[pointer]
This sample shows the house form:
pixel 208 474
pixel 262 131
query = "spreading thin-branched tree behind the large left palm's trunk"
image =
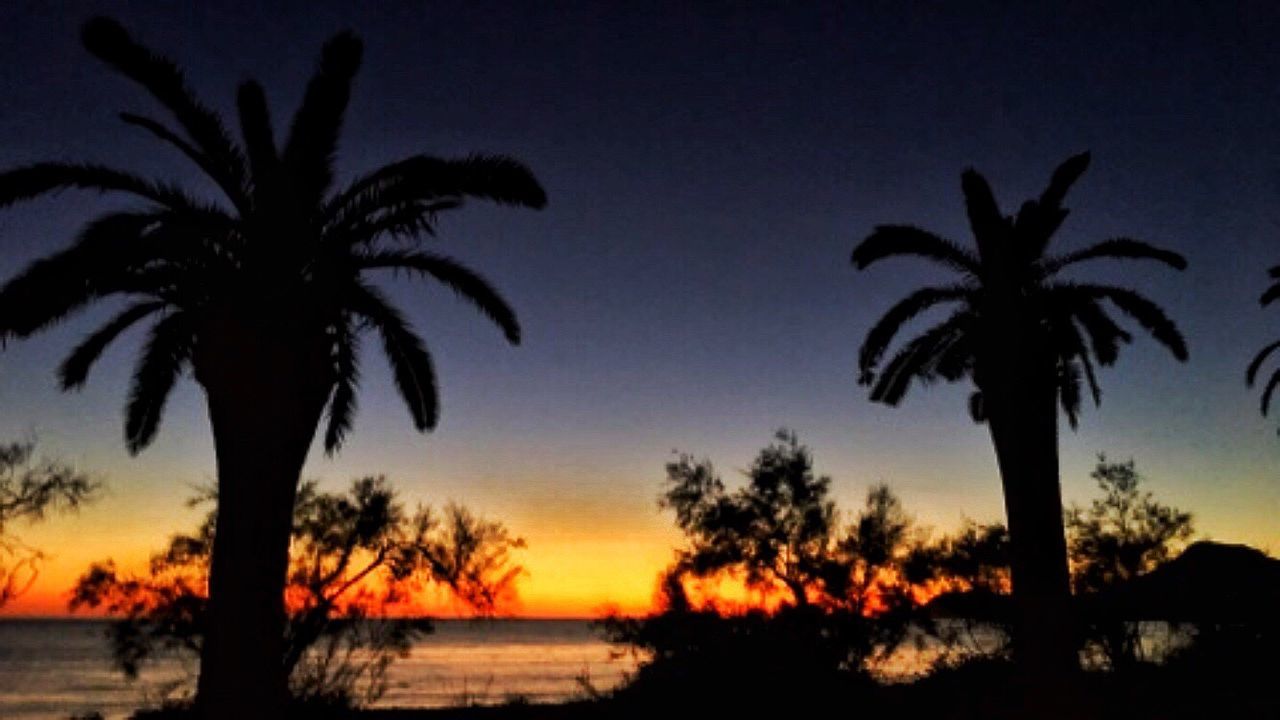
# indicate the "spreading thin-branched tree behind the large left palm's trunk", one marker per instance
pixel 355 558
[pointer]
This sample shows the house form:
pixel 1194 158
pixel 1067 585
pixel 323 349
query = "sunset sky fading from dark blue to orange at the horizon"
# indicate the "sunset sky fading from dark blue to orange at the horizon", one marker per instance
pixel 710 168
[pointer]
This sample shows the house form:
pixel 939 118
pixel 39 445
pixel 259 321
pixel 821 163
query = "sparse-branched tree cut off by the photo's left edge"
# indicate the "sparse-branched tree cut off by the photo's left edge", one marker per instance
pixel 29 491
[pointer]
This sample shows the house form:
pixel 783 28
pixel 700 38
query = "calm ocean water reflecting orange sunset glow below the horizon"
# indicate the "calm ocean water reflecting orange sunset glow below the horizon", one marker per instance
pixel 54 669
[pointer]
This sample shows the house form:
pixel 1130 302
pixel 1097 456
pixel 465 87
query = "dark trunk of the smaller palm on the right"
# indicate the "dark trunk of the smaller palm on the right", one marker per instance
pixel 1023 421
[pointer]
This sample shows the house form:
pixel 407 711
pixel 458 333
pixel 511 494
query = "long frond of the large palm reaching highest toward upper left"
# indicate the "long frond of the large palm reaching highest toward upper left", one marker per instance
pixel 112 44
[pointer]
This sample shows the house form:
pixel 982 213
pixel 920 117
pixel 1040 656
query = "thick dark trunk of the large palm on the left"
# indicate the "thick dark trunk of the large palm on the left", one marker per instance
pixel 264 408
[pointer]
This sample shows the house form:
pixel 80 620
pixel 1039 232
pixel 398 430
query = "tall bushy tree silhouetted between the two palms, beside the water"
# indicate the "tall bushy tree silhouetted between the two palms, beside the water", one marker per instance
pixel 835 598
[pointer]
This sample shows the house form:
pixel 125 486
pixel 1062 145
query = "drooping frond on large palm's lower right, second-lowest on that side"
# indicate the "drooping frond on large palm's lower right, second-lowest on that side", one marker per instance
pixel 410 362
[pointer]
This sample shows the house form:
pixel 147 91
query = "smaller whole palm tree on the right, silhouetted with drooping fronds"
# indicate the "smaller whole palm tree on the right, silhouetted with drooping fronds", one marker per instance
pixel 1028 341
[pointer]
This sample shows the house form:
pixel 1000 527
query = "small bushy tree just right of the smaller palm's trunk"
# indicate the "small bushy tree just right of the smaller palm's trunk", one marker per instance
pixel 1123 535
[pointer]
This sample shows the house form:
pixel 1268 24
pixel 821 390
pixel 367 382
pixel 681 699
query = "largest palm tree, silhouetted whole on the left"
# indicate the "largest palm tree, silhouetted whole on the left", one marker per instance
pixel 264 297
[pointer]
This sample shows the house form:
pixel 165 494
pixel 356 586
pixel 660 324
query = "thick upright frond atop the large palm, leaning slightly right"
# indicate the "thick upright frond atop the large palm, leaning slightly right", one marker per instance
pixel 313 138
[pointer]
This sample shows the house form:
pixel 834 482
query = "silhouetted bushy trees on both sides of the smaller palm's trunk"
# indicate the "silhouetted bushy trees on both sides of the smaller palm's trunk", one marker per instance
pixel 834 598
